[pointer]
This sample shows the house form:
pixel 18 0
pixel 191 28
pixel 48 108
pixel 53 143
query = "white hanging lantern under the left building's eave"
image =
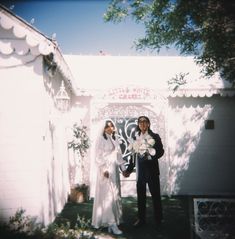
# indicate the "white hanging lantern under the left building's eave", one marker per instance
pixel 62 98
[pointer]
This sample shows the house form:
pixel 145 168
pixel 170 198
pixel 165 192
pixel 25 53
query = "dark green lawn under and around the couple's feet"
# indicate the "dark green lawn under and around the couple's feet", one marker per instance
pixel 176 219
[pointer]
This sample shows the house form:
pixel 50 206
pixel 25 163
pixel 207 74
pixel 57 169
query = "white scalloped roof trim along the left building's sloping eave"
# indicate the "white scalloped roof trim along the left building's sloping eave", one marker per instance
pixel 35 42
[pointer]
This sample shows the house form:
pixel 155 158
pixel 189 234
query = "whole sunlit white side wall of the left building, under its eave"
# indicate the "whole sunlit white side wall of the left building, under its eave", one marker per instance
pixel 33 143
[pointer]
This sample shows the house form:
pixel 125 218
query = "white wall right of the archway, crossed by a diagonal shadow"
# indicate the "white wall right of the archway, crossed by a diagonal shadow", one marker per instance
pixel 202 163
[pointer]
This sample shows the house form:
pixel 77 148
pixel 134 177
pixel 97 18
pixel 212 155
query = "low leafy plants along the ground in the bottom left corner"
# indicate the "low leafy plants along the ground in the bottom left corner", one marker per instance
pixel 22 226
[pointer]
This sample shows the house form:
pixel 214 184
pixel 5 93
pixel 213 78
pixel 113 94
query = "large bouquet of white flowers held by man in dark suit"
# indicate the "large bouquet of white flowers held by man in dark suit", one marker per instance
pixel 142 146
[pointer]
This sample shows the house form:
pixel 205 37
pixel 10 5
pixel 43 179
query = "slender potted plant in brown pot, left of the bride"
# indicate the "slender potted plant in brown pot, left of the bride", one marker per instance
pixel 80 144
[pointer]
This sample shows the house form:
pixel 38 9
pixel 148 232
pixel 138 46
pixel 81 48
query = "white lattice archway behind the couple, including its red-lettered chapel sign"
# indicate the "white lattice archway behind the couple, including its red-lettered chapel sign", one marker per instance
pixel 124 105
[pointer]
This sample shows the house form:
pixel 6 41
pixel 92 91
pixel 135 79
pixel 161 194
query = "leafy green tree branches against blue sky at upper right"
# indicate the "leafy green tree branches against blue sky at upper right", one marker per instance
pixel 203 28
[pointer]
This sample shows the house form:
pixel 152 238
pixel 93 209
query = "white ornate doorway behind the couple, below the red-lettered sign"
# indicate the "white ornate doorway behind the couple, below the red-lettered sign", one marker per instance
pixel 124 116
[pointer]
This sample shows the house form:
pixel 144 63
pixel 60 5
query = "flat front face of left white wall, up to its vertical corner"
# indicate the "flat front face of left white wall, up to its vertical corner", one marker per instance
pixel 21 138
